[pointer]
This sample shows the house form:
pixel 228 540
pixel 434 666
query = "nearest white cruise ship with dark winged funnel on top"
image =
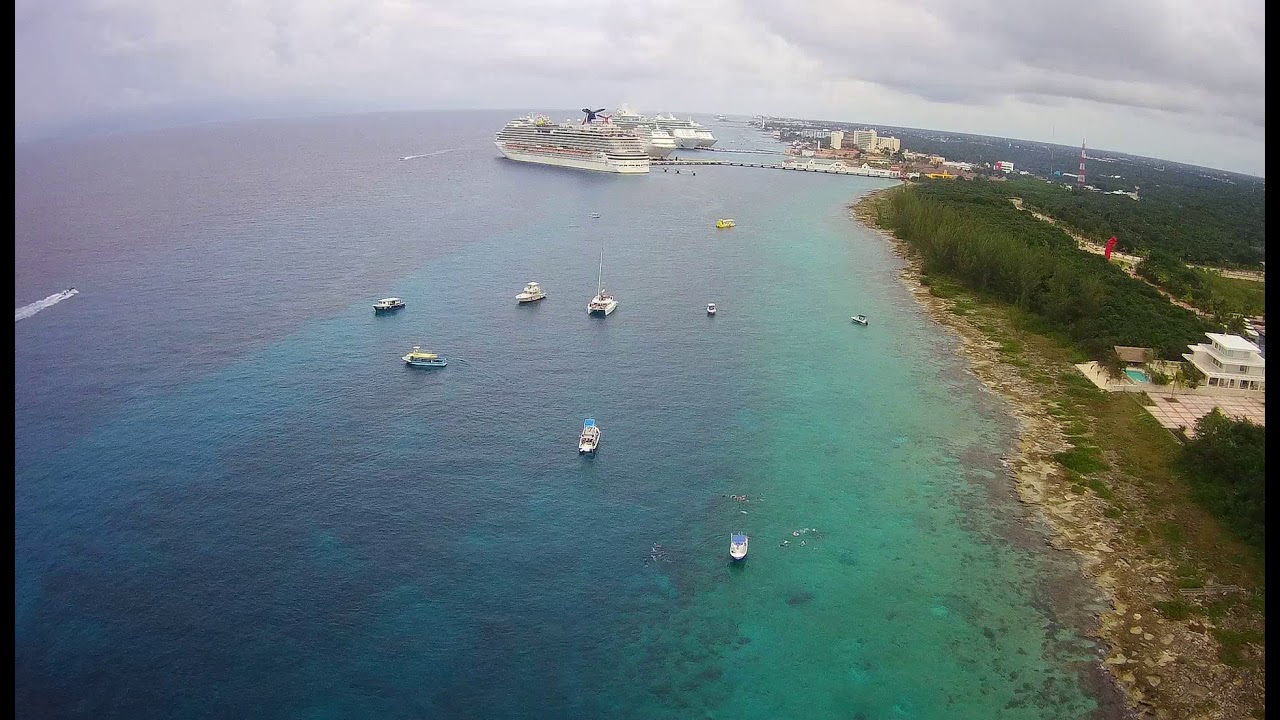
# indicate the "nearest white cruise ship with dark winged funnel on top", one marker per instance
pixel 587 145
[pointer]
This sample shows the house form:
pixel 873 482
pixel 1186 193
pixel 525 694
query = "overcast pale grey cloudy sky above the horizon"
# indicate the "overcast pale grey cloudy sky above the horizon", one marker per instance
pixel 1177 80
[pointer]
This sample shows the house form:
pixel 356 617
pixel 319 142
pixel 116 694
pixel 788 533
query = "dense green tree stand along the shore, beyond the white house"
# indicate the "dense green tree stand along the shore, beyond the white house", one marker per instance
pixel 970 231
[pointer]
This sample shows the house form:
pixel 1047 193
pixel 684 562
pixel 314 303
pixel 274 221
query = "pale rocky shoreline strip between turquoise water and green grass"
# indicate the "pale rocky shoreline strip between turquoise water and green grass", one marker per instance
pixel 1164 669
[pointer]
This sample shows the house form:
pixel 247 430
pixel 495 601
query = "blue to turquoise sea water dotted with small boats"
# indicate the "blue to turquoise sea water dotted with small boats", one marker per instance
pixel 232 499
